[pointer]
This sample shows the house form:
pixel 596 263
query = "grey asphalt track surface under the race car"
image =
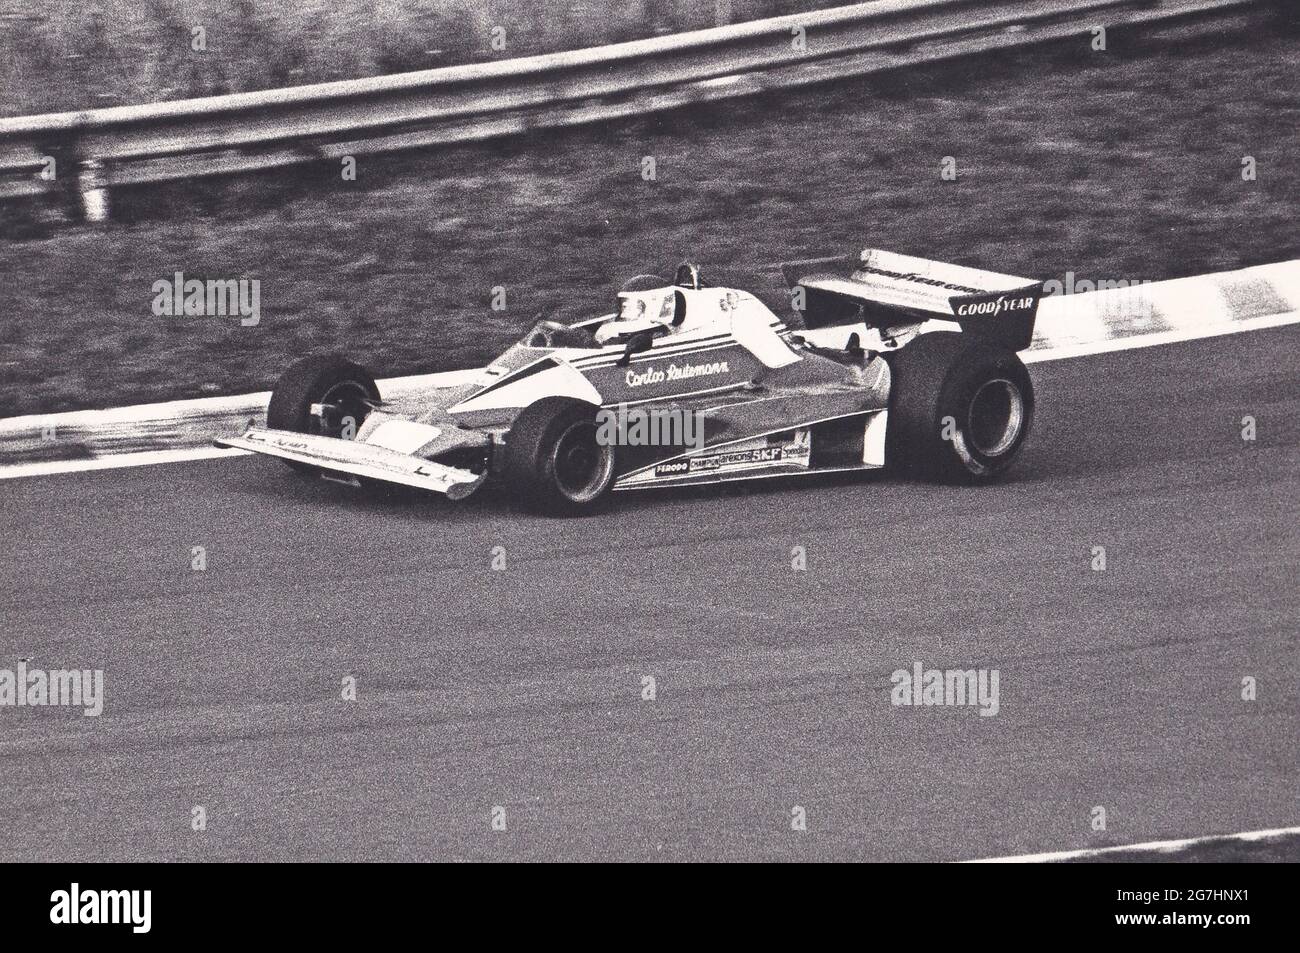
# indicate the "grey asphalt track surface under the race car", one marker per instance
pixel 522 688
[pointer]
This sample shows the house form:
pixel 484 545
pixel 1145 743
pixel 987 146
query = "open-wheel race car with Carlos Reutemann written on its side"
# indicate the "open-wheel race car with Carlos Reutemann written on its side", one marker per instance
pixel 900 362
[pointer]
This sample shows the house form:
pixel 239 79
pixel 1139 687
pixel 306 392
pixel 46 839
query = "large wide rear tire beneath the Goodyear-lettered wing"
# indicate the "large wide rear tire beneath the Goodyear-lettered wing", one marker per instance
pixel 960 410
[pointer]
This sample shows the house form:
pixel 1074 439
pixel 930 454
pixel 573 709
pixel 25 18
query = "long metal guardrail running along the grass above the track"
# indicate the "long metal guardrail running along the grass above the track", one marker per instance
pixel 276 128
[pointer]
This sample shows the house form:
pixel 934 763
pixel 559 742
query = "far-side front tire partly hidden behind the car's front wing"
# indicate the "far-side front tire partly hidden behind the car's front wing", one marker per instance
pixel 343 388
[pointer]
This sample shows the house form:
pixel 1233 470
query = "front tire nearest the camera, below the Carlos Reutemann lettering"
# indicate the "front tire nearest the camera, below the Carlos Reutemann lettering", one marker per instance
pixel 553 462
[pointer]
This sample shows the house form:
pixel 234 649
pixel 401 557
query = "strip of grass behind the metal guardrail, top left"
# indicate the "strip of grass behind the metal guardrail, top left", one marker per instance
pixel 59 55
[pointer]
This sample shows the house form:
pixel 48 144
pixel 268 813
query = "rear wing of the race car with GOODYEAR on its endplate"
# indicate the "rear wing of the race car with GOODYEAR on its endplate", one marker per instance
pixel 886 289
